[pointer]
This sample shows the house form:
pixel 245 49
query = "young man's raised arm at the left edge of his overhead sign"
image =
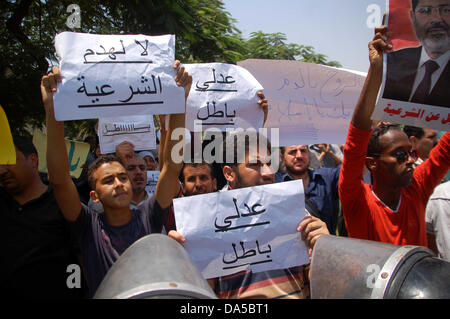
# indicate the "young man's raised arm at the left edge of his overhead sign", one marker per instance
pixel 65 191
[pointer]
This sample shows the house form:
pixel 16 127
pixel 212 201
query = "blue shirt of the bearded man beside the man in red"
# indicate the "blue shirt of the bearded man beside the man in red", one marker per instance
pixel 323 192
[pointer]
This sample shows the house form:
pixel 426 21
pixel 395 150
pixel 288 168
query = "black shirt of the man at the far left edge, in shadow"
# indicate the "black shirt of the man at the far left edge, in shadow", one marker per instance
pixel 37 248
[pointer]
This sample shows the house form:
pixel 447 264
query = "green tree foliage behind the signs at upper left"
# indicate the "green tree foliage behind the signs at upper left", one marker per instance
pixel 205 32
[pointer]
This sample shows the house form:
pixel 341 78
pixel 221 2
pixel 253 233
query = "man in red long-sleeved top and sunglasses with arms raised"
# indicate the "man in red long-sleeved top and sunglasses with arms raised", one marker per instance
pixel 392 210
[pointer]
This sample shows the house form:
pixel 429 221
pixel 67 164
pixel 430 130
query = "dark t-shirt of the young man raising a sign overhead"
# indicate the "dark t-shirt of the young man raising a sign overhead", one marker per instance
pixel 101 243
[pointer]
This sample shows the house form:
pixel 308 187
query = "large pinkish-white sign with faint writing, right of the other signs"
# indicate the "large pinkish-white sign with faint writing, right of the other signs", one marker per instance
pixel 309 103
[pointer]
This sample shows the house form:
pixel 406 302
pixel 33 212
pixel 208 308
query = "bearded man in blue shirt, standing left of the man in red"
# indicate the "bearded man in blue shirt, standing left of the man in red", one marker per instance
pixel 321 185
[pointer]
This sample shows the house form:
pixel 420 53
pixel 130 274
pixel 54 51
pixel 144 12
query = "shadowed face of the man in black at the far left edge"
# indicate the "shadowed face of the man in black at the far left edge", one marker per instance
pixel 16 178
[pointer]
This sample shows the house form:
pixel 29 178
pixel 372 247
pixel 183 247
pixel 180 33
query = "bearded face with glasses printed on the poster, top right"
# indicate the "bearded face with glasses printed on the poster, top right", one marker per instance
pixel 431 20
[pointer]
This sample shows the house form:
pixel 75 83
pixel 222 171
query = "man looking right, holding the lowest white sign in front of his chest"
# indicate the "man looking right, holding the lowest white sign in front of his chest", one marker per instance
pixel 251 171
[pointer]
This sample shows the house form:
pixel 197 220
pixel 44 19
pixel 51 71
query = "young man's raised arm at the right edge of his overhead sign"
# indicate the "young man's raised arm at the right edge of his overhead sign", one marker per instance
pixel 168 185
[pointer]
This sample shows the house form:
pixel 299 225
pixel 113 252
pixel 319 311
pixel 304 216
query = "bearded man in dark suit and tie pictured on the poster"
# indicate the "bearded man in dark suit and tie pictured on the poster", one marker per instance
pixel 422 74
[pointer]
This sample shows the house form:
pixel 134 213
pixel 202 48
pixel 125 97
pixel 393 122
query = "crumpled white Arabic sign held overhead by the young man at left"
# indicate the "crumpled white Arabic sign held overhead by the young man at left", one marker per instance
pixel 116 75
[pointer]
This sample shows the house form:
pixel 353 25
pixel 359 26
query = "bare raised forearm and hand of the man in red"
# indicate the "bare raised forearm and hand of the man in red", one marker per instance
pixel 366 103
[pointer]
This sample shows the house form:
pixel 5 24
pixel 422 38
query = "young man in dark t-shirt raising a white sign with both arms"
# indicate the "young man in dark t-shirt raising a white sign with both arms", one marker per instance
pixel 105 236
